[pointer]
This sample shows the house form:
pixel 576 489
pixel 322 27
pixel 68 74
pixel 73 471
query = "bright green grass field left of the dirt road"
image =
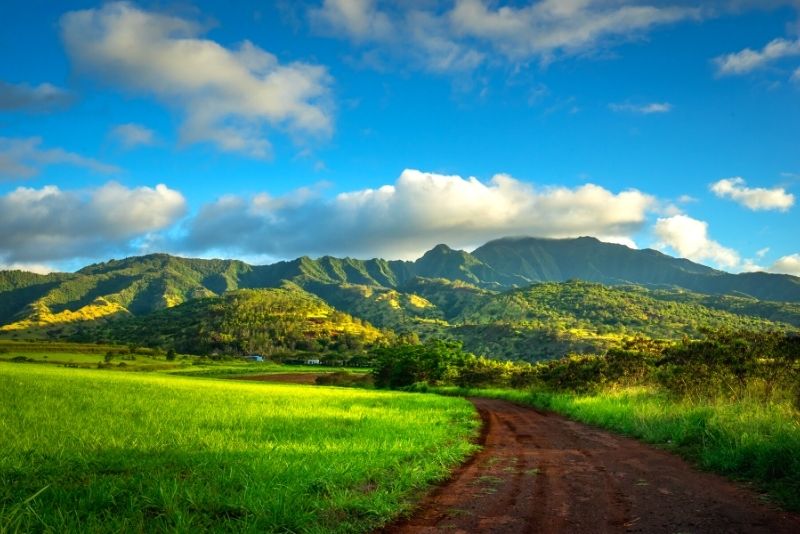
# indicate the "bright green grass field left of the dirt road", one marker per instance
pixel 92 451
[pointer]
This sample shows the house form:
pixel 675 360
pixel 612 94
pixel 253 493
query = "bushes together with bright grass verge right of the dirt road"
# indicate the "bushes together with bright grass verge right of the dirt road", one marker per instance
pixel 729 402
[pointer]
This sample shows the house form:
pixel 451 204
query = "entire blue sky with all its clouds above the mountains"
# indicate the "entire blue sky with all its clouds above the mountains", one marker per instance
pixel 270 130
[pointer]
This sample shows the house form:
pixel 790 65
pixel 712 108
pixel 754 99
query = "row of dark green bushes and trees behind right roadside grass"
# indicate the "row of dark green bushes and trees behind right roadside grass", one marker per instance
pixel 728 364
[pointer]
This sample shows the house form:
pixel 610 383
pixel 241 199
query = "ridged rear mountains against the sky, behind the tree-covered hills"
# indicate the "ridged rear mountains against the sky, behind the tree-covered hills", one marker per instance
pixel 145 284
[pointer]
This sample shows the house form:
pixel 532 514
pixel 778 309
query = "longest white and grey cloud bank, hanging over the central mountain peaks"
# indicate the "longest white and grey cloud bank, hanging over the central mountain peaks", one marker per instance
pixel 419 210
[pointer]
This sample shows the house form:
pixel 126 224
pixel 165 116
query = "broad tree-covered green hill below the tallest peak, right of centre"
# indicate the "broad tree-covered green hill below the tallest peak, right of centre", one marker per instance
pixel 553 319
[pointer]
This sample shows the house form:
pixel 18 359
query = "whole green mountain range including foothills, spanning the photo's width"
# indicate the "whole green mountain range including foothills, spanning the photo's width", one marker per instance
pixel 512 297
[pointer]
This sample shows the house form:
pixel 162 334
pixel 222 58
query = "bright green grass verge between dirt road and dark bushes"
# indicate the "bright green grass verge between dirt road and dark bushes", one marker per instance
pixel 745 439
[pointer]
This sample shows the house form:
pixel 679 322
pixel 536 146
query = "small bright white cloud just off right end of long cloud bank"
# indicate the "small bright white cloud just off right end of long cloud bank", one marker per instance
pixel 689 238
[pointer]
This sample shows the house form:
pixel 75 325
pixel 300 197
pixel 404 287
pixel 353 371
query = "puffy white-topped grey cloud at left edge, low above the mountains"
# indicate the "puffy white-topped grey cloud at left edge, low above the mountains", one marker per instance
pixel 50 224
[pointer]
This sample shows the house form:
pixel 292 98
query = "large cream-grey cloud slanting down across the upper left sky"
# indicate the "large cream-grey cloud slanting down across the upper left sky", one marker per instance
pixel 227 96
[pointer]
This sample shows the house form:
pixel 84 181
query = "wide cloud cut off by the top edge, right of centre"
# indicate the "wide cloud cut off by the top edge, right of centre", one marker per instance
pixel 464 34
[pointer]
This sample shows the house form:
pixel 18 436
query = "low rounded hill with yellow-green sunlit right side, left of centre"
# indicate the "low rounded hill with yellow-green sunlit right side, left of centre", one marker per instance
pixel 263 321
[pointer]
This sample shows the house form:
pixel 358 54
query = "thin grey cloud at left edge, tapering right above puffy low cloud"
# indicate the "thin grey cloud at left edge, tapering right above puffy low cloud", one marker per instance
pixel 24 157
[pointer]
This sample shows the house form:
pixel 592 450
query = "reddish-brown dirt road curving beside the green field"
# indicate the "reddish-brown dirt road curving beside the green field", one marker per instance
pixel 542 473
